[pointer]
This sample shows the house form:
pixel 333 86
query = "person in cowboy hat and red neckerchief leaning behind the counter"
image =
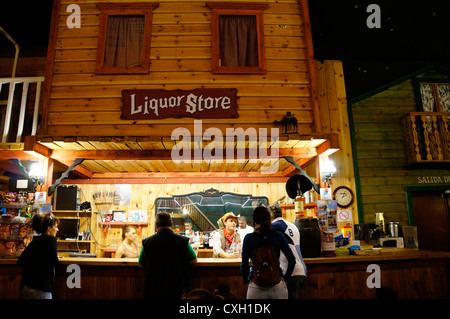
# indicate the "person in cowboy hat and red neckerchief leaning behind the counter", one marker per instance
pixel 225 237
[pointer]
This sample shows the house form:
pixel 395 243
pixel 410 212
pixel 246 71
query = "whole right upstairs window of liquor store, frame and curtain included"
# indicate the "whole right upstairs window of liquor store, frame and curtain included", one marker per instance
pixel 238 37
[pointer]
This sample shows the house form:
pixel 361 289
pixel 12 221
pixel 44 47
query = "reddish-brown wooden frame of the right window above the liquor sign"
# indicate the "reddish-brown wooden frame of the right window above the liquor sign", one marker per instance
pixel 235 8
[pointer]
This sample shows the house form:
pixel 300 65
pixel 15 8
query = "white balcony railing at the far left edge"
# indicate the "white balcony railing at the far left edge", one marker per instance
pixel 19 107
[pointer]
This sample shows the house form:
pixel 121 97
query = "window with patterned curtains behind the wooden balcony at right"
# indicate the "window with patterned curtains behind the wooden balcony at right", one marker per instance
pixel 434 96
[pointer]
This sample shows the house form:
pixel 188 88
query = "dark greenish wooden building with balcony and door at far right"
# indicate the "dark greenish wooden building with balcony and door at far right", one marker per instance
pixel 401 149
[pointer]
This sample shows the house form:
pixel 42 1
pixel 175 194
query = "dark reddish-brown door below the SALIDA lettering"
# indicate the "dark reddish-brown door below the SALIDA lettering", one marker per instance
pixel 431 216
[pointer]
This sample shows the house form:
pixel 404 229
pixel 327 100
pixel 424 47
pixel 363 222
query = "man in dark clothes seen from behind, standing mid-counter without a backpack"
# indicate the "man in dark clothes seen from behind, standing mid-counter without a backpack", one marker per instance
pixel 166 257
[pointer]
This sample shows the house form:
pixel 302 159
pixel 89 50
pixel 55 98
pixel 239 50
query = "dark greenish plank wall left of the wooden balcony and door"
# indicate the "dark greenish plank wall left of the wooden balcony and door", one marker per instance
pixel 381 153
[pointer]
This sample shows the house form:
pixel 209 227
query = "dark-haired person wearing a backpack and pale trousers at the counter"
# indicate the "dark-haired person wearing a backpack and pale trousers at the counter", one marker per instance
pixel 262 248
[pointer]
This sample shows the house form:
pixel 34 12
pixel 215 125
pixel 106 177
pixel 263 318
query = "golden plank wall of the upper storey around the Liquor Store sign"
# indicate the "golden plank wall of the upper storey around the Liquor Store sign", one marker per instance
pixel 83 103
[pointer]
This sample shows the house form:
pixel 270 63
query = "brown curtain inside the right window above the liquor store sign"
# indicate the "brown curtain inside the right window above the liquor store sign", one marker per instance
pixel 238 41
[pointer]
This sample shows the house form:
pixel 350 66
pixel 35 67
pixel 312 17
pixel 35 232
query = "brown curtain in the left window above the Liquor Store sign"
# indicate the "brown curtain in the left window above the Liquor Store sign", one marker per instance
pixel 124 41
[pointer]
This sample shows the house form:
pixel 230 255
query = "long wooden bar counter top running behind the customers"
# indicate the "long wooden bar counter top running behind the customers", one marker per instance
pixel 384 254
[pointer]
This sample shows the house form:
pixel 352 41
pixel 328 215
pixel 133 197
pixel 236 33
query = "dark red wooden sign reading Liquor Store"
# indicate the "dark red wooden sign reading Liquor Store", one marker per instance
pixel 145 104
